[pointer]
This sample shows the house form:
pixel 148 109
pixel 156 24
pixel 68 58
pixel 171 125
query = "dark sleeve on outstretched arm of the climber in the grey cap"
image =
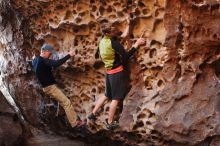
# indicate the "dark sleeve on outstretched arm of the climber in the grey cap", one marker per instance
pixel 56 63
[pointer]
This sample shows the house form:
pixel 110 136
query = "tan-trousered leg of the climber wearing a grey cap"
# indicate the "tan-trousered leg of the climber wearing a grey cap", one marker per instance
pixel 58 95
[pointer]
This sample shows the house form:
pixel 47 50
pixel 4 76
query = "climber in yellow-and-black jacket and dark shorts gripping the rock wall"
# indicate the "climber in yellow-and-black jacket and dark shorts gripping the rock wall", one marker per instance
pixel 114 57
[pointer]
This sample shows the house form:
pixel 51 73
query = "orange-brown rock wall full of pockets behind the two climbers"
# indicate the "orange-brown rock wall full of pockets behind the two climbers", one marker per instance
pixel 174 88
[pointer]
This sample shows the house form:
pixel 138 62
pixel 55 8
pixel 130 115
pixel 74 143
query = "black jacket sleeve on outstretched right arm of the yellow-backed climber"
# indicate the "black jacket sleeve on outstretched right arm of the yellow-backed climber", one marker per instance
pixel 121 51
